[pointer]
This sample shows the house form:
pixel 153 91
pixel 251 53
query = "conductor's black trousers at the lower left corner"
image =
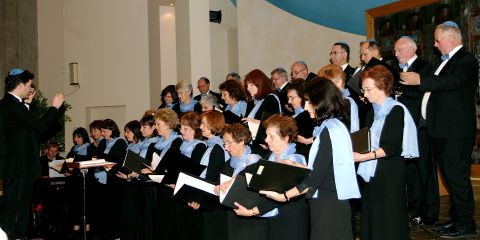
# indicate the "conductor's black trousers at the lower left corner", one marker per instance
pixel 16 206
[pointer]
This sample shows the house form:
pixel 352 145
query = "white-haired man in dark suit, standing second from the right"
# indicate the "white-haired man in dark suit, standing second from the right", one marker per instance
pixel 421 178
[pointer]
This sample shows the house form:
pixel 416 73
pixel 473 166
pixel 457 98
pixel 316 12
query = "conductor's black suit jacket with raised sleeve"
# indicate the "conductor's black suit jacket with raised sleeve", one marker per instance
pixel 19 130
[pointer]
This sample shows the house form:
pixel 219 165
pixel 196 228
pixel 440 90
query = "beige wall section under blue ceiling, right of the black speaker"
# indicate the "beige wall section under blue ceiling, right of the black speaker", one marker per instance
pixel 269 37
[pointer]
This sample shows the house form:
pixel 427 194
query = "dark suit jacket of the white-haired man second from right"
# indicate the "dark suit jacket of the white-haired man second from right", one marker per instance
pixel 411 96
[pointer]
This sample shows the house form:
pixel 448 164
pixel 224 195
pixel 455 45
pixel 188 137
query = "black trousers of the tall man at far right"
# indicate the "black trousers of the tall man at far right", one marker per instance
pixel 454 158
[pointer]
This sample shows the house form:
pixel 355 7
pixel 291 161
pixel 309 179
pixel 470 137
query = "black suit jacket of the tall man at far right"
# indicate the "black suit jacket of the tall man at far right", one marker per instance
pixel 451 106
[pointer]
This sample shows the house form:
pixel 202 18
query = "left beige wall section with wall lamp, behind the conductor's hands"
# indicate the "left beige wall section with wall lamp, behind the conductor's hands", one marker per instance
pixel 109 40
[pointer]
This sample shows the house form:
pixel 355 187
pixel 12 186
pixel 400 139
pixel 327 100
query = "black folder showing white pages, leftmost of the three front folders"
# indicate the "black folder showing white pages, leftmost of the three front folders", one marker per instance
pixel 191 189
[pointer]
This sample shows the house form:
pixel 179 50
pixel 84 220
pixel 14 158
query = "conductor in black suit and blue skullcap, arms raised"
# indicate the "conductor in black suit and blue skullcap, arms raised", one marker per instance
pixel 19 163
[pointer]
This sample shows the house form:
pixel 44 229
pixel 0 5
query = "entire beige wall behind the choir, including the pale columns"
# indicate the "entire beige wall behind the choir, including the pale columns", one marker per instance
pixel 125 57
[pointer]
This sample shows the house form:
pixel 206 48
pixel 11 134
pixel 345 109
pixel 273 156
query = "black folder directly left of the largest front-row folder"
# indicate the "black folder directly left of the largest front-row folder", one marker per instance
pixel 239 193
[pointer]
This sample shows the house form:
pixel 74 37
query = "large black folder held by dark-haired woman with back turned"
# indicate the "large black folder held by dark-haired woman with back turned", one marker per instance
pixel 275 176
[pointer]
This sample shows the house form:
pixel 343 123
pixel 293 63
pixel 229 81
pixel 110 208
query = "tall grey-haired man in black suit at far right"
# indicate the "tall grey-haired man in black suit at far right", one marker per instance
pixel 448 109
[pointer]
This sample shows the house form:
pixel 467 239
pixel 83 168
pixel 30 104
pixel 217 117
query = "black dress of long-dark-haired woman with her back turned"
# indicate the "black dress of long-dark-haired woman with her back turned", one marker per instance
pixel 330 217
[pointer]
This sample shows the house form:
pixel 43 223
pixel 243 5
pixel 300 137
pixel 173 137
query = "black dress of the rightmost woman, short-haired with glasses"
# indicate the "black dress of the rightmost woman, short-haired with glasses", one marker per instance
pixel 384 211
